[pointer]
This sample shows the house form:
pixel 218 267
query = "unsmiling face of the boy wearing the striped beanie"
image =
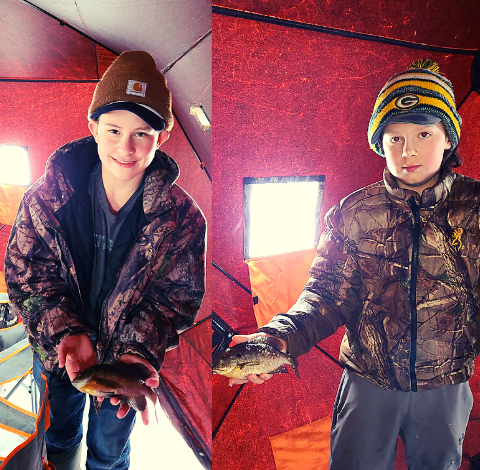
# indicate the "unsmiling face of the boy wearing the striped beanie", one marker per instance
pixel 414 153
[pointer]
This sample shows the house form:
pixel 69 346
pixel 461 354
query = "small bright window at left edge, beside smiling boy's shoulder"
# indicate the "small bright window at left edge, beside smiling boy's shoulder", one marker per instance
pixel 14 165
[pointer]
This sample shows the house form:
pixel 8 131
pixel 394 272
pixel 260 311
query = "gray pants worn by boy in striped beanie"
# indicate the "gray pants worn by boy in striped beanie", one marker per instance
pixel 367 421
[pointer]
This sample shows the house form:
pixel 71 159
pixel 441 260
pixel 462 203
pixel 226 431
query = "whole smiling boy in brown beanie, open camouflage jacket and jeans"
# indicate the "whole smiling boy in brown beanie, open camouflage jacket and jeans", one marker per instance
pixel 106 259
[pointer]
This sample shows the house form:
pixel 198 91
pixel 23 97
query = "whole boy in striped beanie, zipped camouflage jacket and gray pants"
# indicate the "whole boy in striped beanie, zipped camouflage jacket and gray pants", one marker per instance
pixel 398 266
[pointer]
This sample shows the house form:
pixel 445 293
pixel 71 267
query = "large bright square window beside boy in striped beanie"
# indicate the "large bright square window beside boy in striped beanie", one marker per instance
pixel 281 214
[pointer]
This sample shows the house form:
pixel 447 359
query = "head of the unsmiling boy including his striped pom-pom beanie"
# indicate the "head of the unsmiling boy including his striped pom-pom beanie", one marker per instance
pixel 414 105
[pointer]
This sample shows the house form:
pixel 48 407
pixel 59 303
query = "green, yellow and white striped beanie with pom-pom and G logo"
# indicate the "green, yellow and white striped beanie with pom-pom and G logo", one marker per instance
pixel 420 95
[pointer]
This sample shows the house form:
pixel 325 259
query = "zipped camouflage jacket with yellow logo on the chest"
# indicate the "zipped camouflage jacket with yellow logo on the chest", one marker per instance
pixel 401 272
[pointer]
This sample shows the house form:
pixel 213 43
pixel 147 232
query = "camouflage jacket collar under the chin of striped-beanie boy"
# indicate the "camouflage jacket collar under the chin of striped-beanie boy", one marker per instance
pixel 430 197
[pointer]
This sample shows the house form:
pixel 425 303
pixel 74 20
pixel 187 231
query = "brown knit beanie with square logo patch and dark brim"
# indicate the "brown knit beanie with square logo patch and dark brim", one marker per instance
pixel 133 83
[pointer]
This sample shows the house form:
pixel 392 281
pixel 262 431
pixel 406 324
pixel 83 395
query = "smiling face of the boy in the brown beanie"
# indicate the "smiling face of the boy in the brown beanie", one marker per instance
pixel 126 146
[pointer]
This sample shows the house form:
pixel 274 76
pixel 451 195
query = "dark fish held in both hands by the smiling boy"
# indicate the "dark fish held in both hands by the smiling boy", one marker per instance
pixel 125 381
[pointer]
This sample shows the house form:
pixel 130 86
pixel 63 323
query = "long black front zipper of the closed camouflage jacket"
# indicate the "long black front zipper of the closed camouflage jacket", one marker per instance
pixel 413 290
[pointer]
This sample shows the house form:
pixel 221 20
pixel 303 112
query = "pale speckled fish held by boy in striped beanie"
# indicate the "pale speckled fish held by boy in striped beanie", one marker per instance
pixel 260 354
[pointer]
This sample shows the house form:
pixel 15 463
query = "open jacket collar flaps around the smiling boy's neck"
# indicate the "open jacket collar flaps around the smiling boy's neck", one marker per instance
pixel 68 169
